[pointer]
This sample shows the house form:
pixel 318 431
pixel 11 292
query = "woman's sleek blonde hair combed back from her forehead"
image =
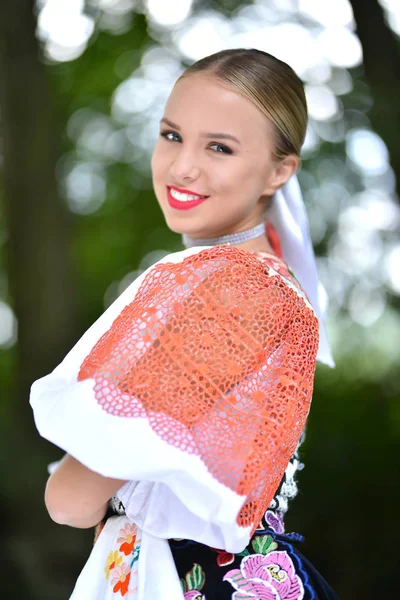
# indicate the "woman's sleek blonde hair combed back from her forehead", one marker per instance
pixel 270 84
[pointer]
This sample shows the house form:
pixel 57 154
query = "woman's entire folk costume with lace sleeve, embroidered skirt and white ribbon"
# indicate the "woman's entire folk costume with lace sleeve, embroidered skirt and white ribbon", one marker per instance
pixel 194 386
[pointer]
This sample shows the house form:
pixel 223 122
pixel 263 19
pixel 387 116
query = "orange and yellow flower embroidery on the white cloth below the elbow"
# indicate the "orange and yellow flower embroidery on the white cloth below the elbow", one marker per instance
pixel 124 573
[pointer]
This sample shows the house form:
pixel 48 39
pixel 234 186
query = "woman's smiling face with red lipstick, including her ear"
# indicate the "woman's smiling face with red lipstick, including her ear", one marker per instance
pixel 213 160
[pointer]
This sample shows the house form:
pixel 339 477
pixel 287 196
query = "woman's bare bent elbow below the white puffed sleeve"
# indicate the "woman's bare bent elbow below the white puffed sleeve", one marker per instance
pixel 77 496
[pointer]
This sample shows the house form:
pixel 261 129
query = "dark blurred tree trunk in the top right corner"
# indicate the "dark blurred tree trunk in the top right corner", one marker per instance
pixel 382 70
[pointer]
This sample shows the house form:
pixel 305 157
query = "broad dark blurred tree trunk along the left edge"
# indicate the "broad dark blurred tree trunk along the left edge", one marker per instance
pixel 42 295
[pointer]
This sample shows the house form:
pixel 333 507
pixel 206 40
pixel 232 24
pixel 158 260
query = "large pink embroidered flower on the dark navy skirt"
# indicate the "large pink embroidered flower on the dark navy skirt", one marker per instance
pixel 266 577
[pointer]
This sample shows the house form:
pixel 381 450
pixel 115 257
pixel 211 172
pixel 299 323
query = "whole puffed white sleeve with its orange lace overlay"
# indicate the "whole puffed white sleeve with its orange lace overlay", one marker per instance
pixel 194 386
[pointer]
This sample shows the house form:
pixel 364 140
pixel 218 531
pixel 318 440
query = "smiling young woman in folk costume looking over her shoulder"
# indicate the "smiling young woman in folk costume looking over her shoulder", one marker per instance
pixel 185 402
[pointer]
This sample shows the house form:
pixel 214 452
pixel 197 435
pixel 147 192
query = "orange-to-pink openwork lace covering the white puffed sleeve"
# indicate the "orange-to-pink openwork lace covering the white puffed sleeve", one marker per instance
pixel 218 352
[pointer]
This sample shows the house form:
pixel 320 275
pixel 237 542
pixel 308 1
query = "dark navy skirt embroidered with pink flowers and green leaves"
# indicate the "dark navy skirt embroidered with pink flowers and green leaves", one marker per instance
pixel 270 568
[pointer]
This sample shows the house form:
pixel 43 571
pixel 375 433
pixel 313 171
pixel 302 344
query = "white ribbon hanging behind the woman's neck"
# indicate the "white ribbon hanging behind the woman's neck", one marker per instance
pixel 288 215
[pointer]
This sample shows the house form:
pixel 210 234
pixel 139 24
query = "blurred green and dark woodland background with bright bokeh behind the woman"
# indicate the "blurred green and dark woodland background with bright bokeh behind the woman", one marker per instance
pixel 82 87
